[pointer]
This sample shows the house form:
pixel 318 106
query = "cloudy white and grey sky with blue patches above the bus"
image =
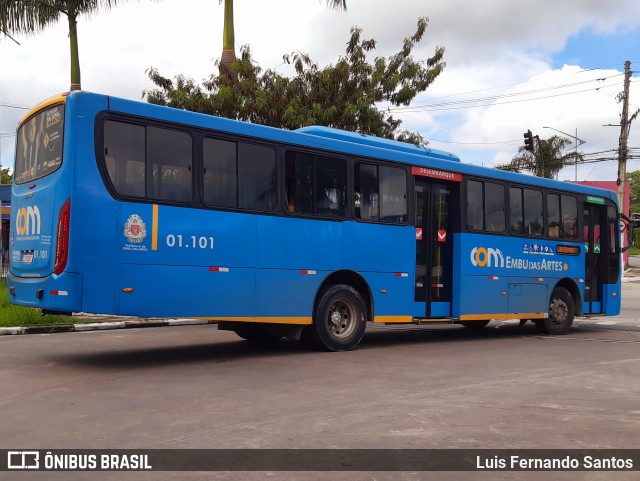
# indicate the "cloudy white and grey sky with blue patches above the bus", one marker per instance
pixel 555 63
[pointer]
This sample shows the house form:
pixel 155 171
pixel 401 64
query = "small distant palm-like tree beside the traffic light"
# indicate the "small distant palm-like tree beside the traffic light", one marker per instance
pixel 547 160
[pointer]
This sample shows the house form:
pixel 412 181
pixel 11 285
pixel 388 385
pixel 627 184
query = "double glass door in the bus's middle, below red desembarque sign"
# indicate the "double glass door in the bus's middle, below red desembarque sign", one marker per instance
pixel 434 249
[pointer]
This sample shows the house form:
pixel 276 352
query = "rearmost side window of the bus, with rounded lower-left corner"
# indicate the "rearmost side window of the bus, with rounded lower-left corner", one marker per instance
pixel 125 157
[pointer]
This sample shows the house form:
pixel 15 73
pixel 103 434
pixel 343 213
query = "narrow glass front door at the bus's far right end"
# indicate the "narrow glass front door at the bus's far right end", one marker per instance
pixel 596 247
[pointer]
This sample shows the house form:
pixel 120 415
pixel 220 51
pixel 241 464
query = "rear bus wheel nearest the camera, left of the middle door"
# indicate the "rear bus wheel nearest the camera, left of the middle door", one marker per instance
pixel 339 319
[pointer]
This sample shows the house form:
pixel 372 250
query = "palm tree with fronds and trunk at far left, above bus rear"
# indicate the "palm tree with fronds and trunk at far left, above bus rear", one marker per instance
pixel 31 16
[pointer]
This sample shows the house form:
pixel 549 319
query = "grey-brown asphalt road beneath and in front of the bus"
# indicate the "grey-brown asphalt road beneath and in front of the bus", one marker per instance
pixel 404 387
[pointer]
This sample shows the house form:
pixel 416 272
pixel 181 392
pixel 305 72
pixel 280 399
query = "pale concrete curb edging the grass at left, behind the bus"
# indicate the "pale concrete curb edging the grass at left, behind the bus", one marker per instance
pixel 100 326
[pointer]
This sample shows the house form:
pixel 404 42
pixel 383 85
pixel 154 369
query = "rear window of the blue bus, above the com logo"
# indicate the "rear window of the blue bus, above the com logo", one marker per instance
pixel 39 150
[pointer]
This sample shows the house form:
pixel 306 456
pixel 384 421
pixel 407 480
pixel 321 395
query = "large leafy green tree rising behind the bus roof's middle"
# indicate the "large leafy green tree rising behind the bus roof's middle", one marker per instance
pixel 344 95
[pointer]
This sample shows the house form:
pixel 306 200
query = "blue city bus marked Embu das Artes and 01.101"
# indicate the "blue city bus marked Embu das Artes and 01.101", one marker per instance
pixel 127 208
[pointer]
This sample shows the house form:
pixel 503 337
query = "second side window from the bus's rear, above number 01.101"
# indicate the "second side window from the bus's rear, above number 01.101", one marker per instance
pixel 169 154
